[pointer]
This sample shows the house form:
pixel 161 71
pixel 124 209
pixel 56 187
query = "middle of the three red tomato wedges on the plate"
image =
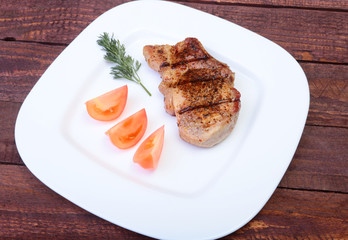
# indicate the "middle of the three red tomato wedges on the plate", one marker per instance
pixel 128 132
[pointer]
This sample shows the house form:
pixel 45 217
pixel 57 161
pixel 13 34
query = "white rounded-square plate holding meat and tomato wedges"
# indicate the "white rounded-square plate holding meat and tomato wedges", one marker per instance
pixel 195 193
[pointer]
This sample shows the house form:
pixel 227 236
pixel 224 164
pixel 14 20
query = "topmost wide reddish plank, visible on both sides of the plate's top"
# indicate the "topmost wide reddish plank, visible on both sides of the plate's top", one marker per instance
pixel 307 34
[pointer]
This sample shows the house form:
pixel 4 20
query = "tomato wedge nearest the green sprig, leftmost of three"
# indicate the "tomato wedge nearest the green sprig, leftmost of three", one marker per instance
pixel 108 106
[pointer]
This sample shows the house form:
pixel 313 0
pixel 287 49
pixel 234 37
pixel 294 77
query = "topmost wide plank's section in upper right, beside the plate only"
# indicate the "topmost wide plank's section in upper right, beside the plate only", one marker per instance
pixel 306 34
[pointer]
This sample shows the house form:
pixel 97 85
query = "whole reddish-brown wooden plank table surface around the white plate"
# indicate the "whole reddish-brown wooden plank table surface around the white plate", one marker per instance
pixel 311 202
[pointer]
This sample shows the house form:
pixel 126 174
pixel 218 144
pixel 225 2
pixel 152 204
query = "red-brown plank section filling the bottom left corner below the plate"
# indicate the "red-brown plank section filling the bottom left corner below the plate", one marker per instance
pixel 30 210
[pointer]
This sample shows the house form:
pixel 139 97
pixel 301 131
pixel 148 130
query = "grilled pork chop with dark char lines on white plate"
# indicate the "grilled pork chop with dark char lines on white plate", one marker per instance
pixel 197 89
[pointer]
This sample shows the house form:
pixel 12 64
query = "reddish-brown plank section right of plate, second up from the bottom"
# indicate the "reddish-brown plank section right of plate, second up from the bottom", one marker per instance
pixel 320 161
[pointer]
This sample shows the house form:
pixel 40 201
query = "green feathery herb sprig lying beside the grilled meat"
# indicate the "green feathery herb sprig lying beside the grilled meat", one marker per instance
pixel 126 67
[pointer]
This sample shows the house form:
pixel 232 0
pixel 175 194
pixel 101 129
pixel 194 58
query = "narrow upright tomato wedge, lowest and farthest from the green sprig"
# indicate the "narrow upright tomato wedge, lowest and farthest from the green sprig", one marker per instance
pixel 149 151
